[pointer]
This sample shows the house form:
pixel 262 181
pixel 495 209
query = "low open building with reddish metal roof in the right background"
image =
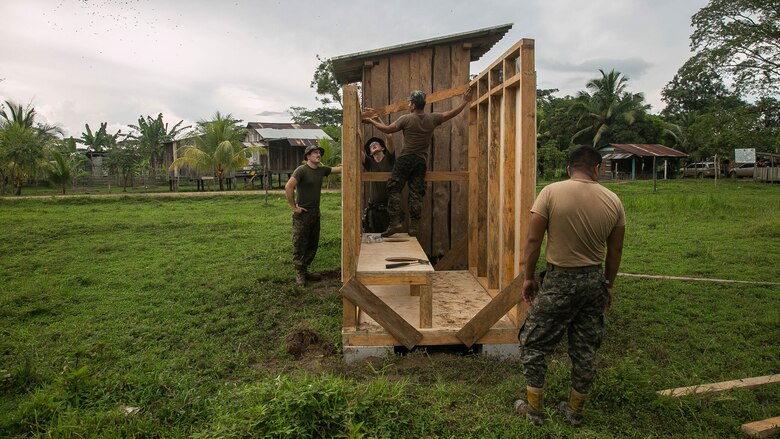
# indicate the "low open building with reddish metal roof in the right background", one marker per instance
pixel 636 160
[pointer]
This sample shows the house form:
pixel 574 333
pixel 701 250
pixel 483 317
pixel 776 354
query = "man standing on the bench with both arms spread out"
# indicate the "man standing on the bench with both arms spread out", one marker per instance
pixel 417 127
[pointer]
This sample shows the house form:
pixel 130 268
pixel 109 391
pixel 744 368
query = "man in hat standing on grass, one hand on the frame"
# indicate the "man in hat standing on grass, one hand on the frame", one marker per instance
pixel 305 204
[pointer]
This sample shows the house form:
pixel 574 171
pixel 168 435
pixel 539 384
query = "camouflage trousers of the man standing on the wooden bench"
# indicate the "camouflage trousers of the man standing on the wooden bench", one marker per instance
pixel 408 168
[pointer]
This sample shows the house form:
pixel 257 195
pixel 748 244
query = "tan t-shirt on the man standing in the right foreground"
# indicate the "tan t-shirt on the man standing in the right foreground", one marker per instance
pixel 580 216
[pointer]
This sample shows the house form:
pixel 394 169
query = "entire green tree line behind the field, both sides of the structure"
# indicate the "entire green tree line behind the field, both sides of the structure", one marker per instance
pixel 724 97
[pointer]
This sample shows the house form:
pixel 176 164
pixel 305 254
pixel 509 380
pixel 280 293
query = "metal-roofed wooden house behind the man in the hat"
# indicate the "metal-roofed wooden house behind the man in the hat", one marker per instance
pixel 285 143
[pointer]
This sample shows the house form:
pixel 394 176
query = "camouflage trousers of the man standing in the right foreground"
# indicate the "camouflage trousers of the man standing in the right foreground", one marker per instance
pixel 572 303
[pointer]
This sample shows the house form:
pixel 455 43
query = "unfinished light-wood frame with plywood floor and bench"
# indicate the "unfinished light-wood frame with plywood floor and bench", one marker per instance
pixel 492 184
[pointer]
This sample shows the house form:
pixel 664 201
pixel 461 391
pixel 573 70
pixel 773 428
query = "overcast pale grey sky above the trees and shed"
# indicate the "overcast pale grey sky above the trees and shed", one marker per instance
pixel 93 61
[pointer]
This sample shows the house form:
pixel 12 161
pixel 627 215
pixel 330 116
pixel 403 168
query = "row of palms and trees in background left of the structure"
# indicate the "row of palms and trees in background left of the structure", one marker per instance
pixel 30 150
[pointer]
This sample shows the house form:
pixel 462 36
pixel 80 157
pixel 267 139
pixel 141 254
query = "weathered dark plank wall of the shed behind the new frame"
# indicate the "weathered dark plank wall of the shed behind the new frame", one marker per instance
pixel 390 80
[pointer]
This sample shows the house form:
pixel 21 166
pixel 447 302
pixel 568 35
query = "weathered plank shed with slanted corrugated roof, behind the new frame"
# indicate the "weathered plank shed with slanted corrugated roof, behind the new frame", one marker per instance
pixel 435 66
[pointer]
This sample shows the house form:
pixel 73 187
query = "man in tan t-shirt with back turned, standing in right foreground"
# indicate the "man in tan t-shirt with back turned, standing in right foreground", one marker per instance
pixel 580 217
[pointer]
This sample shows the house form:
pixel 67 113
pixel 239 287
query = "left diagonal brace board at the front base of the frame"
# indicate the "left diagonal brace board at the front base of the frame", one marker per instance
pixel 372 305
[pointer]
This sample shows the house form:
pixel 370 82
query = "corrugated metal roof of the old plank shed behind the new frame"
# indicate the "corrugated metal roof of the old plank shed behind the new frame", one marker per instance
pixel 349 68
